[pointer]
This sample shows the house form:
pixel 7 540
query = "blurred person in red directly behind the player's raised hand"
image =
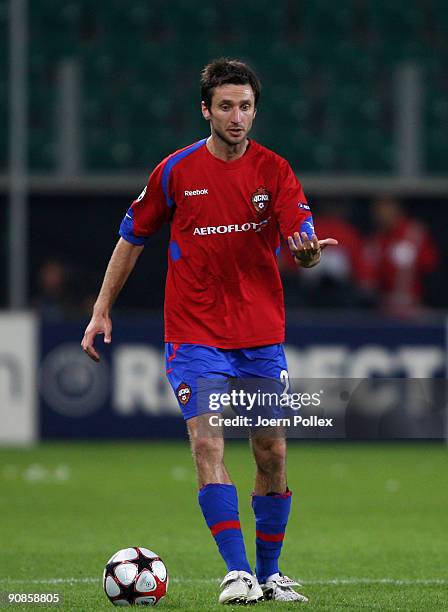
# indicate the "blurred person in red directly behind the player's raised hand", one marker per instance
pixel 336 282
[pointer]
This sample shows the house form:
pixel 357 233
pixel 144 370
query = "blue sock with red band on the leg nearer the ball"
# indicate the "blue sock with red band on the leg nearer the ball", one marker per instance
pixel 219 503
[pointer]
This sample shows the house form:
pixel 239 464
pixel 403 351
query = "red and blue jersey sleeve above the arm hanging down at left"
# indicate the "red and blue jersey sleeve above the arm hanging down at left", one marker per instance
pixel 149 211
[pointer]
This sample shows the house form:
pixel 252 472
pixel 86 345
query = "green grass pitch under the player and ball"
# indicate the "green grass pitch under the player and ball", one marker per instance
pixel 368 527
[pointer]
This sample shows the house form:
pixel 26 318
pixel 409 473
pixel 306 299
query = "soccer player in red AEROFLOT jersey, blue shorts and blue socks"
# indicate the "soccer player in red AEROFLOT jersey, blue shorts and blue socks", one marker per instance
pixel 229 201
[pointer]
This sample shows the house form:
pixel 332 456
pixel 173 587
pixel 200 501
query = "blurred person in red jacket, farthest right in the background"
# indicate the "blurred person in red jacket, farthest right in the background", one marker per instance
pixel 398 258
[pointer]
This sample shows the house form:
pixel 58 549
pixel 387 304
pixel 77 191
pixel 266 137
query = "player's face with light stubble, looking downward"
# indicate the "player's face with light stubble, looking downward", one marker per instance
pixel 232 112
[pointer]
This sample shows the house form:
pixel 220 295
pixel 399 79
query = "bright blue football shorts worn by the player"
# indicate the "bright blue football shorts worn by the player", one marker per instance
pixel 186 364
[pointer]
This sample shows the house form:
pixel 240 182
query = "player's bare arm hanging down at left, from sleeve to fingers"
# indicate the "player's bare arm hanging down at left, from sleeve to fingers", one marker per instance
pixel 121 264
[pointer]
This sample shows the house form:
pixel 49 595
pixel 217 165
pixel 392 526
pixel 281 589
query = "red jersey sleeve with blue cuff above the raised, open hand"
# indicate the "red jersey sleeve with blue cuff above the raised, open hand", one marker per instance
pixel 291 206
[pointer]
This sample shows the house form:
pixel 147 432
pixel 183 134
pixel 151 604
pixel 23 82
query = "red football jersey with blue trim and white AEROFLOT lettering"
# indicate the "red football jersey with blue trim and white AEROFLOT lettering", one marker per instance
pixel 223 286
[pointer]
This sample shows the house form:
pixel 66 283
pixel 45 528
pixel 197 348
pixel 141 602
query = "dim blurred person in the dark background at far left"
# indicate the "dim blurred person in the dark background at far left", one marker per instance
pixel 52 299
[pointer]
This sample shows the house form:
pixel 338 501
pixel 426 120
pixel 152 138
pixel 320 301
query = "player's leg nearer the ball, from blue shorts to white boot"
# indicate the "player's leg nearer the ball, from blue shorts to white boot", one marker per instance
pixel 217 495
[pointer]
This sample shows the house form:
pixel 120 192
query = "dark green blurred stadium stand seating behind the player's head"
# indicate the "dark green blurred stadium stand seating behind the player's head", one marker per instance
pixel 328 76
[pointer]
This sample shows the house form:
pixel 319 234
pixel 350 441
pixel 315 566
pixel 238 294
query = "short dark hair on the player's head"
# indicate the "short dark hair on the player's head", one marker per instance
pixel 224 71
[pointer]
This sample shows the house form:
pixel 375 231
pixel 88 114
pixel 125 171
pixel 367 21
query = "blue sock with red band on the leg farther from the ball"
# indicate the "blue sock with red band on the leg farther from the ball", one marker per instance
pixel 271 518
